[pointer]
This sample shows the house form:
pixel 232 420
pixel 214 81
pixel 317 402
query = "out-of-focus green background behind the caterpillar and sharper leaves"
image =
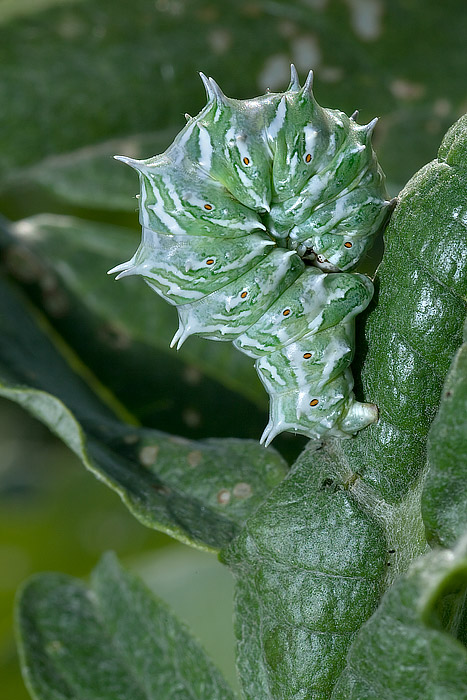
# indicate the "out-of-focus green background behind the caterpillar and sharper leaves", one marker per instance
pixel 81 80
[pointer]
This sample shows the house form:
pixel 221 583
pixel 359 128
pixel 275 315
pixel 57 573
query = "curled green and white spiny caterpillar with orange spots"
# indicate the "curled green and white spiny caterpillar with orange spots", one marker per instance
pixel 250 220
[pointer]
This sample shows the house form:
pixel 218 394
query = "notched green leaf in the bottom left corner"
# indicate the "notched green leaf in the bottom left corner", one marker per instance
pixel 110 641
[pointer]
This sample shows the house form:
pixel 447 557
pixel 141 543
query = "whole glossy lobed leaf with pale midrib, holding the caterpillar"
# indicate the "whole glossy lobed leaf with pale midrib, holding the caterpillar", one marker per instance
pixel 315 558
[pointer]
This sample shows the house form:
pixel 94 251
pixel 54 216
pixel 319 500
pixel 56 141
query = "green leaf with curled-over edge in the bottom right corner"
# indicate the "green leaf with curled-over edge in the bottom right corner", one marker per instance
pixel 414 646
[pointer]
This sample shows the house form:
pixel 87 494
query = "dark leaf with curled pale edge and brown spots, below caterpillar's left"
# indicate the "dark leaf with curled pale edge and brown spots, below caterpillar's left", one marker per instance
pixel 198 492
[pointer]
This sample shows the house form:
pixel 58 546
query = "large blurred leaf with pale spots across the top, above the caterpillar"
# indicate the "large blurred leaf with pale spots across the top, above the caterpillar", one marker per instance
pixel 75 74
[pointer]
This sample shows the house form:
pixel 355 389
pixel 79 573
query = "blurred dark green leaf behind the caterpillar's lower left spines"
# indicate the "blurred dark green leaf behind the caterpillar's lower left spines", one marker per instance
pixel 123 331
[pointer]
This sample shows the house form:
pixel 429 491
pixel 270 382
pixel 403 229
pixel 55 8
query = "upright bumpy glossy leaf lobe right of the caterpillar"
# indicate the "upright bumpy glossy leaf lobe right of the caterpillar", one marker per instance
pixel 413 328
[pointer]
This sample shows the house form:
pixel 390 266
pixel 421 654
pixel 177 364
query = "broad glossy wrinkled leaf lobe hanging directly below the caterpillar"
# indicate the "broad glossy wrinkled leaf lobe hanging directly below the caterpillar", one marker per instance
pixel 310 566
